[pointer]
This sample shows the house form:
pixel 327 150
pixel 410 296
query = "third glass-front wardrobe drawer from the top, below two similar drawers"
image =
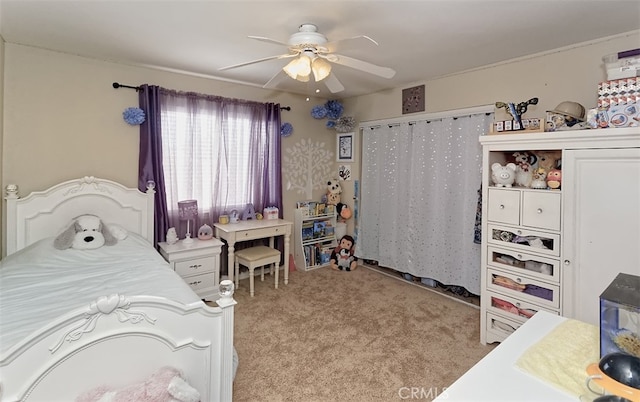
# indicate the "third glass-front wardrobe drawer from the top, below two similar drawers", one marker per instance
pixel 524 288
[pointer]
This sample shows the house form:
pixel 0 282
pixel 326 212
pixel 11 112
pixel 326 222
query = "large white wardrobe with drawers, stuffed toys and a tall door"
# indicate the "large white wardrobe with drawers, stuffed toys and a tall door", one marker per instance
pixel 587 231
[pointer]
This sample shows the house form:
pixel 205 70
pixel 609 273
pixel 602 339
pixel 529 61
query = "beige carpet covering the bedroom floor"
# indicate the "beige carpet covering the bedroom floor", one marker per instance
pixel 349 336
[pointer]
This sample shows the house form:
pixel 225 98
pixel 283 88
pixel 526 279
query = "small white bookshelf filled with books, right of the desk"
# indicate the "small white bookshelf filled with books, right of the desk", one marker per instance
pixel 315 235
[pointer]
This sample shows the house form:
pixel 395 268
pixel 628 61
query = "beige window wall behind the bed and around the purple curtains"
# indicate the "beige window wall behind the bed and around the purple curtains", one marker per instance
pixel 63 118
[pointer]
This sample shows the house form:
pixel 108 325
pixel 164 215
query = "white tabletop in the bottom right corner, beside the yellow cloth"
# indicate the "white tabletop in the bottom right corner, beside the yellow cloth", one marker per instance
pixel 496 377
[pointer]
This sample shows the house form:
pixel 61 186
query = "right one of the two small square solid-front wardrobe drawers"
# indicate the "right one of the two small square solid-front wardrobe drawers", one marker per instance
pixel 541 209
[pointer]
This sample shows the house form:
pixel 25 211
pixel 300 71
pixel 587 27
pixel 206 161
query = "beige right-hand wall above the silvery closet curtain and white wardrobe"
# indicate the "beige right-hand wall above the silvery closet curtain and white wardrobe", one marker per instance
pixel 571 73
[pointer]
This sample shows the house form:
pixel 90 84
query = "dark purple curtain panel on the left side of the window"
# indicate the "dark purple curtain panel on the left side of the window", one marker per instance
pixel 150 160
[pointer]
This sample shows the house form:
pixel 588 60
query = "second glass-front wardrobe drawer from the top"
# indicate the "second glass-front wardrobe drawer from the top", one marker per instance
pixel 536 266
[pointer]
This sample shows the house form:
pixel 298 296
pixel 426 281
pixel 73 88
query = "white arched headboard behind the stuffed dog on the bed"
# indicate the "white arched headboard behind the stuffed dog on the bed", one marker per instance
pixel 46 213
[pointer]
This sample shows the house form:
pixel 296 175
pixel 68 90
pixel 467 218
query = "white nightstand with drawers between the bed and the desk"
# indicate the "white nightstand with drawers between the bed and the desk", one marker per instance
pixel 198 263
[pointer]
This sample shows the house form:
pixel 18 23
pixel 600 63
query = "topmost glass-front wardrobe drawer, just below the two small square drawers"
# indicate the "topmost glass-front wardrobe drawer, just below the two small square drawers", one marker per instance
pixel 525 240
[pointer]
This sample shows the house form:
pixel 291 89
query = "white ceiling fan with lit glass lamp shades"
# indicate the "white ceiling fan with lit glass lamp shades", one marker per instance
pixel 312 55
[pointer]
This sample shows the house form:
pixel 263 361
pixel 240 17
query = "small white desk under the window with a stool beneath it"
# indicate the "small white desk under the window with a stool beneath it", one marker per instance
pixel 251 230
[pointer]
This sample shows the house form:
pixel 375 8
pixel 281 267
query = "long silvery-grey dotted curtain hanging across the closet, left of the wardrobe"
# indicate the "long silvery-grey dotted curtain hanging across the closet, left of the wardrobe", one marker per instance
pixel 419 197
